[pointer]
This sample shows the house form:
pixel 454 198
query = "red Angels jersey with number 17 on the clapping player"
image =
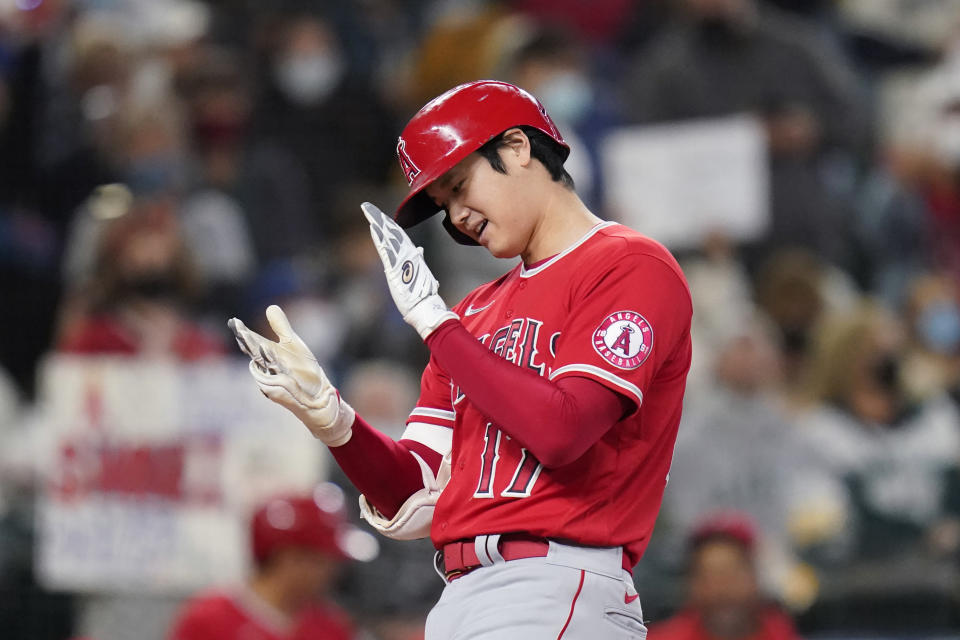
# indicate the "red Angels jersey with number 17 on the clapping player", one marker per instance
pixel 615 308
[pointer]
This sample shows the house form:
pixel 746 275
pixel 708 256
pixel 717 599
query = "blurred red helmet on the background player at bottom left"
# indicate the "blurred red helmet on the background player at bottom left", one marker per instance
pixel 315 521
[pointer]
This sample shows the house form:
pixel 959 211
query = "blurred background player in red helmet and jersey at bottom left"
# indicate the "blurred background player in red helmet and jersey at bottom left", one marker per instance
pixel 299 544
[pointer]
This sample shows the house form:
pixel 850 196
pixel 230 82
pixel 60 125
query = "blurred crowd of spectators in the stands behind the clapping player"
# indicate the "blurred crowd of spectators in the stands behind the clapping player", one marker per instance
pixel 168 164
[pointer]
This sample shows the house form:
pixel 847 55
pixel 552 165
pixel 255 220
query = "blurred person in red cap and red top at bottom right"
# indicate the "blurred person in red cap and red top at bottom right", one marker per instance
pixel 723 596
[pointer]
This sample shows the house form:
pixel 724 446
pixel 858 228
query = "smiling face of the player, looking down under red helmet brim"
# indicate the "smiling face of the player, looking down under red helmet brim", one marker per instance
pixel 485 204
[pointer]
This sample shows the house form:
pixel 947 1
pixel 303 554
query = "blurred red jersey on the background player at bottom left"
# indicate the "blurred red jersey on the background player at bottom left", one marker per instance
pixel 243 616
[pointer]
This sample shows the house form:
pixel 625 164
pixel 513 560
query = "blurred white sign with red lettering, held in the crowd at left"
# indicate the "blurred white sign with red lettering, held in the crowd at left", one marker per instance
pixel 150 471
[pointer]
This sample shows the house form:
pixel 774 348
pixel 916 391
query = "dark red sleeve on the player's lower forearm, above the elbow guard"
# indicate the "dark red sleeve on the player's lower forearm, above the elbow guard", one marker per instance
pixel 382 469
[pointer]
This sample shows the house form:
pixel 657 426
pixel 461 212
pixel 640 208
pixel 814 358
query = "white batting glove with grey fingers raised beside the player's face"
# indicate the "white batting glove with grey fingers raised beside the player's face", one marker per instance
pixel 412 285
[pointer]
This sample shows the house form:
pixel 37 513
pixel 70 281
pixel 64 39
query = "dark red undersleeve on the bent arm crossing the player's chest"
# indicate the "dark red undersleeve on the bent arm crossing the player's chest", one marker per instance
pixel 557 421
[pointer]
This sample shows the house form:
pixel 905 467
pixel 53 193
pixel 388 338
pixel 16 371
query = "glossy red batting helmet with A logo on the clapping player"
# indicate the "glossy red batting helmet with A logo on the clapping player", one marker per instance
pixel 452 126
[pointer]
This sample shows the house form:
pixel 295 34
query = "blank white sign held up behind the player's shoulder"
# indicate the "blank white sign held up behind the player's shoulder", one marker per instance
pixel 680 182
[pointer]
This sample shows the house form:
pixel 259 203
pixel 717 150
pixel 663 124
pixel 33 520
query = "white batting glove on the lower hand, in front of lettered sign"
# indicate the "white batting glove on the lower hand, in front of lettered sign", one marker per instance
pixel 288 373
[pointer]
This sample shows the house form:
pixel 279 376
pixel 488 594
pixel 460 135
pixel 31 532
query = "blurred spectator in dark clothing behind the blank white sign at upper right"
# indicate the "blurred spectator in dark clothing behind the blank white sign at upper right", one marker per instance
pixel 734 56
